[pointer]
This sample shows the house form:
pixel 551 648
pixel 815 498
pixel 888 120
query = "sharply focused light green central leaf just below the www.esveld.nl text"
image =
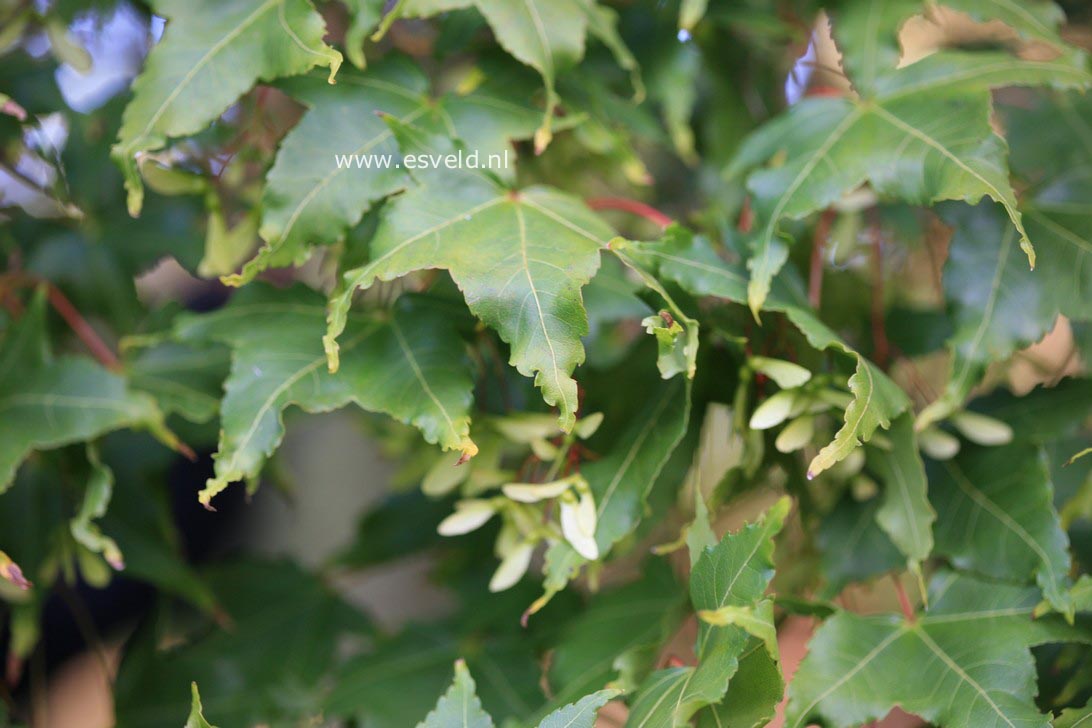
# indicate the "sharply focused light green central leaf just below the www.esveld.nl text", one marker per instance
pixel 520 259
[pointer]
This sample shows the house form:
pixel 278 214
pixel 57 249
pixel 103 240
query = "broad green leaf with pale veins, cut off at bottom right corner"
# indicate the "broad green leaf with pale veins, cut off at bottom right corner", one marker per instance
pixel 977 639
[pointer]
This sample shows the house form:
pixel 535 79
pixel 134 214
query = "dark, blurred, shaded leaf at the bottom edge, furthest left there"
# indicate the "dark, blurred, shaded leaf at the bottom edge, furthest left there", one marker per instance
pixel 280 652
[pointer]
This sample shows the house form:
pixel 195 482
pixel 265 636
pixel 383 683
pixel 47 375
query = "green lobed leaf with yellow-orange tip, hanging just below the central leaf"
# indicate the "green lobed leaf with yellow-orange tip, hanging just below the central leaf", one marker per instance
pixel 410 364
